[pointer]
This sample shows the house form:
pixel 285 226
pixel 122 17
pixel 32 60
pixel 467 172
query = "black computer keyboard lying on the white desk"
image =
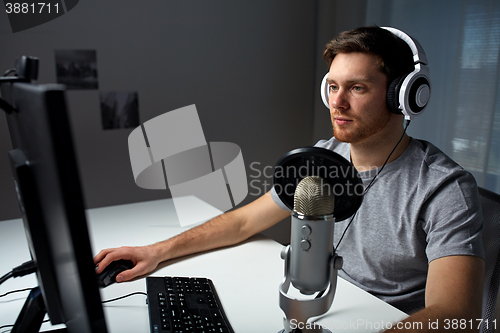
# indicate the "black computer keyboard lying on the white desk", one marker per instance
pixel 181 304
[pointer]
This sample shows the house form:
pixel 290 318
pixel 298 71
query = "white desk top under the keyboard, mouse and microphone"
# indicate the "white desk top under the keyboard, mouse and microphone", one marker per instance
pixel 246 276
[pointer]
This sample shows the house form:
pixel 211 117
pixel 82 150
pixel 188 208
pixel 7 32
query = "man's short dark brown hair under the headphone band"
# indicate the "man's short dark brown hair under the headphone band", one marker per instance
pixel 396 54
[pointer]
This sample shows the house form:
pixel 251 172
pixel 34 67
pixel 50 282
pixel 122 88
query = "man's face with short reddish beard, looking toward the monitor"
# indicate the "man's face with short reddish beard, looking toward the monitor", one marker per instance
pixel 357 97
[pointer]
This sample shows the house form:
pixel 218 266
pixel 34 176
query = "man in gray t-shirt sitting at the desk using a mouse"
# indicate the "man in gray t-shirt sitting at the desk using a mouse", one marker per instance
pixel 415 241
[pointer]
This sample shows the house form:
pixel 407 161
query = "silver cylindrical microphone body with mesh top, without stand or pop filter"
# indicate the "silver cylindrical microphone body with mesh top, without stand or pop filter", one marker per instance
pixel 312 235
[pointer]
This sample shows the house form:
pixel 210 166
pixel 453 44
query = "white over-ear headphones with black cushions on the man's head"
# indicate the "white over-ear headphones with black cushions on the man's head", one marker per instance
pixel 408 94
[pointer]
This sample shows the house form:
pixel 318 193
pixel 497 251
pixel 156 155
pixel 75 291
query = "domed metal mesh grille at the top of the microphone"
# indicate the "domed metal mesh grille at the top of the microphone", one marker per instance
pixel 313 196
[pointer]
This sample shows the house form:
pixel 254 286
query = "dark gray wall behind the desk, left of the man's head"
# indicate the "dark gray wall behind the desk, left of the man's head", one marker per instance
pixel 249 66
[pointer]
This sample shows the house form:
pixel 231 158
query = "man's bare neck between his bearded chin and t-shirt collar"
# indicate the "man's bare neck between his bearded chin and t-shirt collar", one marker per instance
pixel 371 155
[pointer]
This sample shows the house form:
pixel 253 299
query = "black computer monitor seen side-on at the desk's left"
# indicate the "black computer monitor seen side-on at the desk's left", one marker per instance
pixel 50 196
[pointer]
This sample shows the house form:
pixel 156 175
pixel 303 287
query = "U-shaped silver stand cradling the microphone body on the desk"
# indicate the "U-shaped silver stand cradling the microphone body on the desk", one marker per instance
pixel 298 311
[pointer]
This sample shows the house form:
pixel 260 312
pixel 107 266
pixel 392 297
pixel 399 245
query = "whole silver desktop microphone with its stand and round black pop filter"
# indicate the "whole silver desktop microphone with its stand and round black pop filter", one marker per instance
pixel 311 264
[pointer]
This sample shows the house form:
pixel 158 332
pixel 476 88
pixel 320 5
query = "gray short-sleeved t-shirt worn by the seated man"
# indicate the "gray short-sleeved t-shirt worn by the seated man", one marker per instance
pixel 421 207
